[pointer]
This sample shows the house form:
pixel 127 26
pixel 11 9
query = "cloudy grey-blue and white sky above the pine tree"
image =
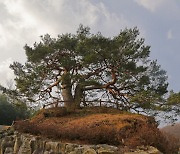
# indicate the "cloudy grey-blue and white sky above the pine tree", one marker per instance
pixel 23 21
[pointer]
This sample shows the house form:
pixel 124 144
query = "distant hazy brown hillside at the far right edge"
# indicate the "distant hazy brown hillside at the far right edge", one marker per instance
pixel 173 130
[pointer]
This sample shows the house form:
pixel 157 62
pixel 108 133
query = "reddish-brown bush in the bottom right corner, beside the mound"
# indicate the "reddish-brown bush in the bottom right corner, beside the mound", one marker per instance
pixel 152 136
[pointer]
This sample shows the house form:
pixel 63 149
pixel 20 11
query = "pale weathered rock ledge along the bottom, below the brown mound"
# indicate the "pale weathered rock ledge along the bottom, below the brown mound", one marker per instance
pixel 29 144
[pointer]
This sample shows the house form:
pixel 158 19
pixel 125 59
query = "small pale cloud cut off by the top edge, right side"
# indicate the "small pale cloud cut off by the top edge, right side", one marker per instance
pixel 151 5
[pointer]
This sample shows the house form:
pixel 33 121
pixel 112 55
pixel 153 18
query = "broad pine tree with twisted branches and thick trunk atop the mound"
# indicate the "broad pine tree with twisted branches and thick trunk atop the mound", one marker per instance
pixel 76 66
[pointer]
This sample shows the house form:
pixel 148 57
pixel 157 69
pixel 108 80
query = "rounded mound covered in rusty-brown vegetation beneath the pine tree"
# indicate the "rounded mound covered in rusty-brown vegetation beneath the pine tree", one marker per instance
pixel 96 126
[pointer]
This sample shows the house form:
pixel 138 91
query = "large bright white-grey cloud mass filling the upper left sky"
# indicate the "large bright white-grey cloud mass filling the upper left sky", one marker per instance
pixel 23 21
